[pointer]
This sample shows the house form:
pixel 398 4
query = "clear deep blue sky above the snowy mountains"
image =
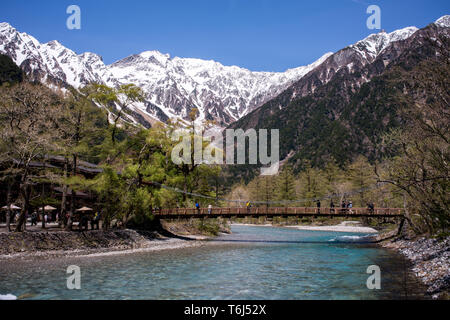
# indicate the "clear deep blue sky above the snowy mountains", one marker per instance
pixel 261 35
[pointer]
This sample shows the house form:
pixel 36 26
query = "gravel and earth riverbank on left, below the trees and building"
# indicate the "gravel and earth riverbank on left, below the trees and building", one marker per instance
pixel 41 245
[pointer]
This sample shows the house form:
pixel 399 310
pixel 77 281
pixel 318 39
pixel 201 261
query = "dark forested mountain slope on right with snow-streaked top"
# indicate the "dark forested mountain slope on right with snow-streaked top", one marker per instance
pixel 356 97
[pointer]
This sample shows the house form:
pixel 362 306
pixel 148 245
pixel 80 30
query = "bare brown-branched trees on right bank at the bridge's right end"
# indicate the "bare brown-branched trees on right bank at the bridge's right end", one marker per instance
pixel 420 169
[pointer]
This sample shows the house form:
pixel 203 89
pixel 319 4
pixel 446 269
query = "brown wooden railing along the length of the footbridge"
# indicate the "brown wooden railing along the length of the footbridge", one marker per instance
pixel 280 211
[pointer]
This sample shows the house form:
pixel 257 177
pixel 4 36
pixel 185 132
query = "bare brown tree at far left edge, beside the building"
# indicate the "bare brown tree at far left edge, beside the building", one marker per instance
pixel 26 134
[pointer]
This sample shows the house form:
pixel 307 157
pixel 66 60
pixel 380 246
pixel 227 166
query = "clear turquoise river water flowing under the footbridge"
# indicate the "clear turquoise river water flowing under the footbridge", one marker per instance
pixel 252 263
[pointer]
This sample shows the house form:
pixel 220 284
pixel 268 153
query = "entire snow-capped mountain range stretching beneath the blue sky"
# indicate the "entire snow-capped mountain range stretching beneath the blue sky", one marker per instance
pixel 173 86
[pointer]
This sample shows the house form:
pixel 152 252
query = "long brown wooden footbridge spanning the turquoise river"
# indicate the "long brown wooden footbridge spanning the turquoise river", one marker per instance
pixel 270 212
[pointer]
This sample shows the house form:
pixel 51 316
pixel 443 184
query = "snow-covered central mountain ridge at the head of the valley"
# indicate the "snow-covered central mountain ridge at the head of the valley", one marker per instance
pixel 219 92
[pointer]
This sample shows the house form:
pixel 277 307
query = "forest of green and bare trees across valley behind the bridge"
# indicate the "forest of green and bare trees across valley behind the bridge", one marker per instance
pixel 81 142
